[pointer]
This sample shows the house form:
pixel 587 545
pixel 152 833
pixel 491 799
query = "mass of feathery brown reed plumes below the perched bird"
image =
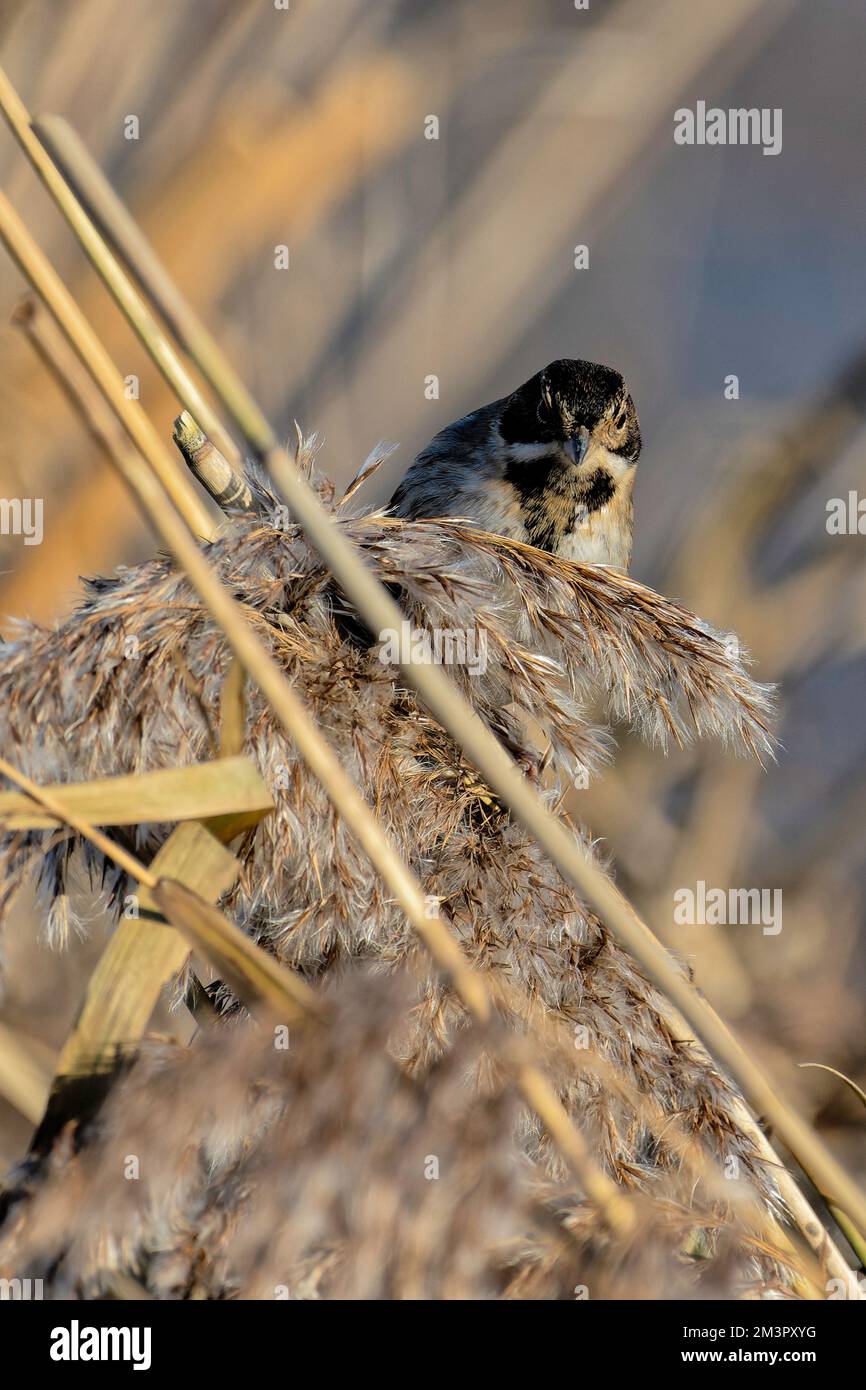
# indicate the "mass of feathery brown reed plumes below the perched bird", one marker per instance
pixel 77 705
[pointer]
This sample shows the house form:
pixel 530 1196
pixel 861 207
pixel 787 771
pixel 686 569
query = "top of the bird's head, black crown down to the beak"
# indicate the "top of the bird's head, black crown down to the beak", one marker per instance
pixel 568 397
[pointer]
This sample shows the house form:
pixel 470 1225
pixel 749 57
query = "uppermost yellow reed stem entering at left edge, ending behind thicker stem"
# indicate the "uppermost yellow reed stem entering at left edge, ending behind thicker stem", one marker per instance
pixel 111 273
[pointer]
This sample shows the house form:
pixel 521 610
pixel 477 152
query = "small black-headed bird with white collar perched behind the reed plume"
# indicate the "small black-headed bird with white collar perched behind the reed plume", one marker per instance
pixel 551 465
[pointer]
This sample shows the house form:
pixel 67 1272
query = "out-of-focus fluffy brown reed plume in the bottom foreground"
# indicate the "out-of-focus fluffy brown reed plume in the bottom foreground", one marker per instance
pixel 322 1172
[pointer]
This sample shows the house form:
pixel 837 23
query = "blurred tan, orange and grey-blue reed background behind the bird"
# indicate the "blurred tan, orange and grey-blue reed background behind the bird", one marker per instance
pixel 454 258
